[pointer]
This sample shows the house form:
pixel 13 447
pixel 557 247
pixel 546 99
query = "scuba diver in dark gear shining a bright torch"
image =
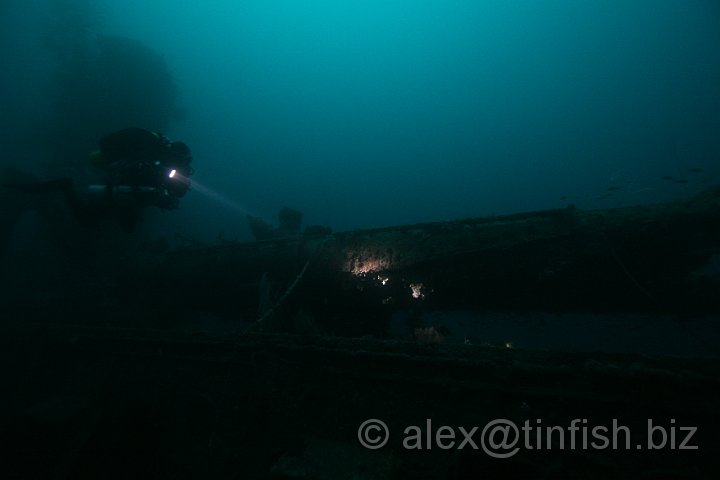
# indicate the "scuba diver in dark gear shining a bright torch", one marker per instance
pixel 142 169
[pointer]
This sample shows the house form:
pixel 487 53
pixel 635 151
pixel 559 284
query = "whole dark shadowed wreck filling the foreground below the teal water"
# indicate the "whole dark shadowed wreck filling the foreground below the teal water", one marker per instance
pixel 262 360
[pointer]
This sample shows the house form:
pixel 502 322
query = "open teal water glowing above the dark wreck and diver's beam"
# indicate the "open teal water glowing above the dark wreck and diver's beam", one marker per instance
pixel 373 113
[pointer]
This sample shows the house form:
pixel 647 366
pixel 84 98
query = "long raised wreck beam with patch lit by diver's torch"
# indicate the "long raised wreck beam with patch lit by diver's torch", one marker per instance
pixel 645 259
